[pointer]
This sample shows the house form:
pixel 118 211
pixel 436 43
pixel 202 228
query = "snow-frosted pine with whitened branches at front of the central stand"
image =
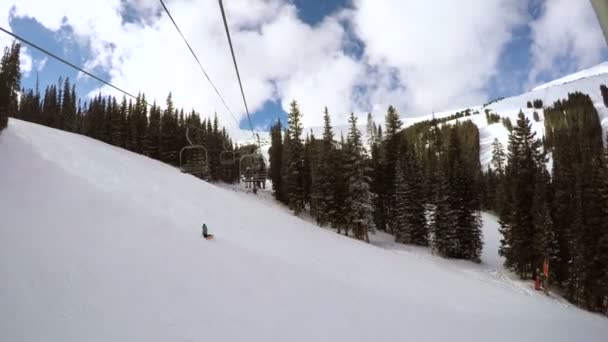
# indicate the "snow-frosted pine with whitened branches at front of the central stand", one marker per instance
pixel 359 198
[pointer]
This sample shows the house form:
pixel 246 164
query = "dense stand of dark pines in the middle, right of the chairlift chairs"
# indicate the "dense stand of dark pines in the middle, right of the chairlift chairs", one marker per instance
pixel 417 184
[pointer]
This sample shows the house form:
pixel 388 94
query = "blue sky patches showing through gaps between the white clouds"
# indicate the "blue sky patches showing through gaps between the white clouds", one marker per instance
pixel 512 70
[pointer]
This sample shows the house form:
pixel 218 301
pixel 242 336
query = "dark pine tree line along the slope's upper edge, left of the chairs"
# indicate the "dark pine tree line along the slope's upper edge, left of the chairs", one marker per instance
pixel 134 125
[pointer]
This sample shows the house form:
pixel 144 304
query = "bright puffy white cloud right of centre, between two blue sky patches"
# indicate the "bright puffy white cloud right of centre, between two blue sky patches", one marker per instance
pixel 443 52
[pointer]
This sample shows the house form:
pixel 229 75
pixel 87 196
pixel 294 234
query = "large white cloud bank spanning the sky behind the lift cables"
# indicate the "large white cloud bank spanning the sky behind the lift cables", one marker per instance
pixel 418 55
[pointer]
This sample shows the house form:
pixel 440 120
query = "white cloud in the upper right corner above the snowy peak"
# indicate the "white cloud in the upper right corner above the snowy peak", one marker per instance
pixel 566 38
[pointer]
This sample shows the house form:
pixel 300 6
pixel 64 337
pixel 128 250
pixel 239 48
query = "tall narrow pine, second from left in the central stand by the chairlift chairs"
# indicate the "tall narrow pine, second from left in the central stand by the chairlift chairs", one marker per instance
pixel 295 160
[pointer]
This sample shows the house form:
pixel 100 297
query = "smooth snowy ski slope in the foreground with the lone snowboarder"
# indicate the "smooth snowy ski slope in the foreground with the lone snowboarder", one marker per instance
pixel 100 244
